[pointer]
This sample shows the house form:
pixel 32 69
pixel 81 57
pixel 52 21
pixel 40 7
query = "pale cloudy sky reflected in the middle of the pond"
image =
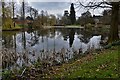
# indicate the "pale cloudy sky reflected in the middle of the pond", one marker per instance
pixel 46 43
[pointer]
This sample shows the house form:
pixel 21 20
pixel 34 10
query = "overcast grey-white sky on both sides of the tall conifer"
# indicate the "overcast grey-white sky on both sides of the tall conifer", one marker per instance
pixel 59 7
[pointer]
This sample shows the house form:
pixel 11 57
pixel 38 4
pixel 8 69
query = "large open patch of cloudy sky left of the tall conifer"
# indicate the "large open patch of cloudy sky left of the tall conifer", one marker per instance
pixel 51 7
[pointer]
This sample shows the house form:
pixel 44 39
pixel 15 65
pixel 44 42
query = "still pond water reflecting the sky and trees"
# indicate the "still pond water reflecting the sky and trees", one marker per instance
pixel 57 44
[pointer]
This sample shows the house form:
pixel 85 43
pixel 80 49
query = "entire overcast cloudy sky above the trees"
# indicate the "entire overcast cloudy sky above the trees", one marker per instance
pixel 58 6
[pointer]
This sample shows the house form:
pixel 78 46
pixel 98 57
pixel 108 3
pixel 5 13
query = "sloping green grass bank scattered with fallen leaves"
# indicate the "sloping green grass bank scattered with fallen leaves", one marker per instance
pixel 103 65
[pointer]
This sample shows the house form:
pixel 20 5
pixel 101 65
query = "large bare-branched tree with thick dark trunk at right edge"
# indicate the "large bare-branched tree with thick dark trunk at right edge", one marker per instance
pixel 113 35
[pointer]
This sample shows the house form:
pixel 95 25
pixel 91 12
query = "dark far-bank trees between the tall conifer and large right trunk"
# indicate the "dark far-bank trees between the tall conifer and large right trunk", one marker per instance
pixel 104 18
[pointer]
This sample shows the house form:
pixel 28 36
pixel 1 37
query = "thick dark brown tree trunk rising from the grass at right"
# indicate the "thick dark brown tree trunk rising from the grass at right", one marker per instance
pixel 113 35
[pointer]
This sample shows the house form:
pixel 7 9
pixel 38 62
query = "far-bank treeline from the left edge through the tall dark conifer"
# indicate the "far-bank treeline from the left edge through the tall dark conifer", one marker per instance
pixel 11 13
